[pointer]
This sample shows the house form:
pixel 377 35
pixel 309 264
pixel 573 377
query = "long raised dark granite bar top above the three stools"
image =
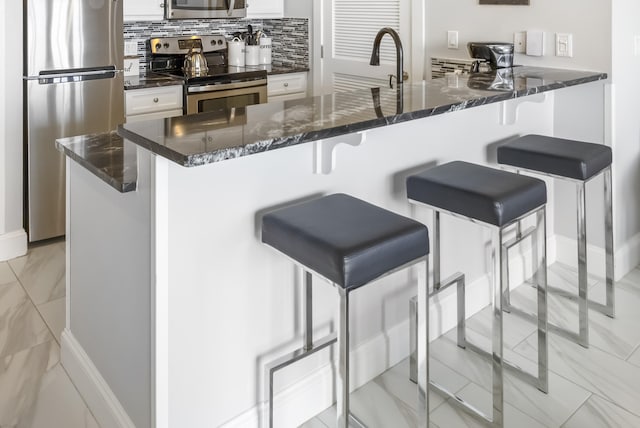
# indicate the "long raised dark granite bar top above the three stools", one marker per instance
pixel 217 136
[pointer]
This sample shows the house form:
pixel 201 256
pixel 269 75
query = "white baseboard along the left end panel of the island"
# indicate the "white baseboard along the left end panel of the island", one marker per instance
pixel 103 404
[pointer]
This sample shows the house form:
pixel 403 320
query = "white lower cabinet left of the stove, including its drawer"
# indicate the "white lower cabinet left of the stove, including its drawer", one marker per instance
pixel 153 103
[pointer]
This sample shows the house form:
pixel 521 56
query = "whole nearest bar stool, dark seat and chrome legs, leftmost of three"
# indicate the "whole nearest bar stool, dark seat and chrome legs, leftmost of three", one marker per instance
pixel 349 243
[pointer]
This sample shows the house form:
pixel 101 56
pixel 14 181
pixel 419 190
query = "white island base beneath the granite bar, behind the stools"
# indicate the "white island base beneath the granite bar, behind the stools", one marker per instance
pixel 174 304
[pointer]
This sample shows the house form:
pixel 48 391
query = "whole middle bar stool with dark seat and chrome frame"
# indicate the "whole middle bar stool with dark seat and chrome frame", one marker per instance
pixel 495 199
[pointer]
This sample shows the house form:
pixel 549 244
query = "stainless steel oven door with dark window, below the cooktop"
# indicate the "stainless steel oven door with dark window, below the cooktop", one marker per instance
pixel 215 97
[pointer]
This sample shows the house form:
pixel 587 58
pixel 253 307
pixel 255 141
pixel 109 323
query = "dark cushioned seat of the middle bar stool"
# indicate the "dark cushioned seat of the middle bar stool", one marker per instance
pixel 485 194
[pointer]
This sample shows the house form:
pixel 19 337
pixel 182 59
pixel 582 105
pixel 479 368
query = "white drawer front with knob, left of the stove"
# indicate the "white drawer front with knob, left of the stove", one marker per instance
pixel 151 100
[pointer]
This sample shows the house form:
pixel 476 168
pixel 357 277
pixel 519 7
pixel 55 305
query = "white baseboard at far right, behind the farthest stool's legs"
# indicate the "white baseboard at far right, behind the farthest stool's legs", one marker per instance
pixel 626 257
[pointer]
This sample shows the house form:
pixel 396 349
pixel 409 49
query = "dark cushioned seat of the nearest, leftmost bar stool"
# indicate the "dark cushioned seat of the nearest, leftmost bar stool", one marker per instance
pixel 344 239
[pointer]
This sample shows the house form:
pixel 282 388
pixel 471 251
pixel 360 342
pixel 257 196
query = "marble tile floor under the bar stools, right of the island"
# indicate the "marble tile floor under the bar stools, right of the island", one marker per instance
pixel 588 388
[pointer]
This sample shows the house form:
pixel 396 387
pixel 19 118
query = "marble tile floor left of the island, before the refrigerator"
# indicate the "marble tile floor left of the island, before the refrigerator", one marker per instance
pixel 35 390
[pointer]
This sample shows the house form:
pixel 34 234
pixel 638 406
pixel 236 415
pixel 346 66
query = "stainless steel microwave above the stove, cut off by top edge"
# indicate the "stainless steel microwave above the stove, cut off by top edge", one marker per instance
pixel 197 9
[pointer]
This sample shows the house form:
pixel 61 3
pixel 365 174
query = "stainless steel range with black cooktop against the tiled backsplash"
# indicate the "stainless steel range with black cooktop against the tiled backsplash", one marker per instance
pixel 216 85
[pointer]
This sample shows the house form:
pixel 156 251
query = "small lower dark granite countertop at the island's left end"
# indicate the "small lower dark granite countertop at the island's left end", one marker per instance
pixel 107 155
